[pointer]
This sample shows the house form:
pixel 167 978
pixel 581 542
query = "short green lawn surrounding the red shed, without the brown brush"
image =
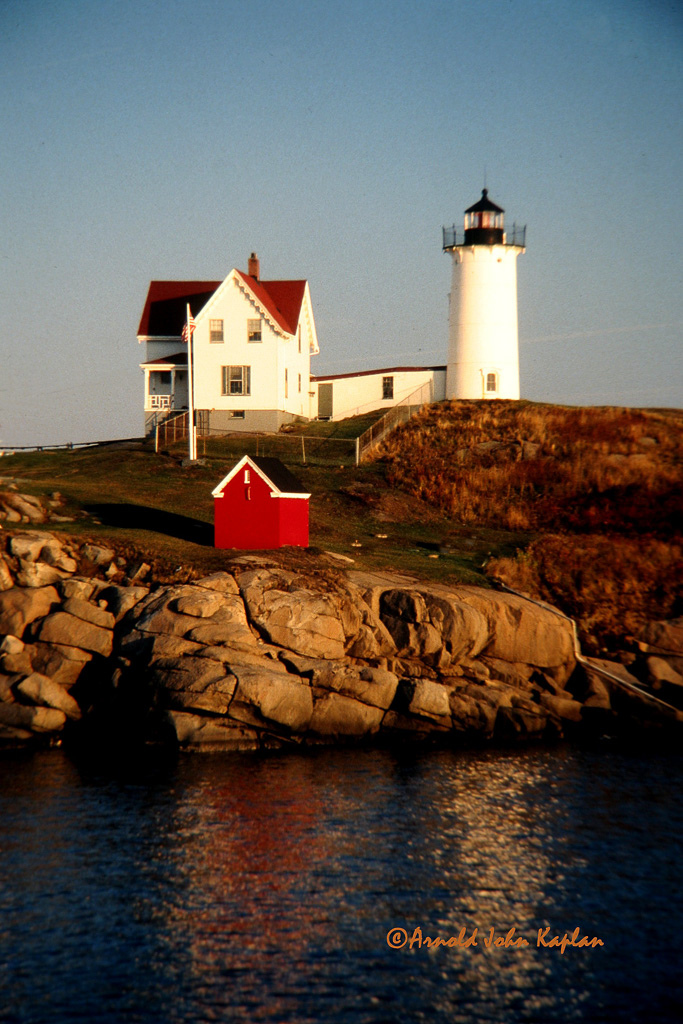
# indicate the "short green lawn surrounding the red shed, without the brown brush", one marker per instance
pixel 348 506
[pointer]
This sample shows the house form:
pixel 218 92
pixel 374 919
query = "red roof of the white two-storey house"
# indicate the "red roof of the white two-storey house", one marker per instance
pixel 165 308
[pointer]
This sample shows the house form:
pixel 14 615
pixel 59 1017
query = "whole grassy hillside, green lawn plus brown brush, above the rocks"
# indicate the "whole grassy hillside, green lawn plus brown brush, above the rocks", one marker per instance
pixel 581 507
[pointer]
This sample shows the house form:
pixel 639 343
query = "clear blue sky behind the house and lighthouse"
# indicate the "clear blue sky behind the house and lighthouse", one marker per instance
pixel 147 140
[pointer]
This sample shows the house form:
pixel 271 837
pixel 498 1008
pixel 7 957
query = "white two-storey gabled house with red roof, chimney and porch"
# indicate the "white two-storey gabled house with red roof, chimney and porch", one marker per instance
pixel 251 348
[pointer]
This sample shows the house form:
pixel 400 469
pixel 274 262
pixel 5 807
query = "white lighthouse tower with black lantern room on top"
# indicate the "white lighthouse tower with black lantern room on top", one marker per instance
pixel 484 352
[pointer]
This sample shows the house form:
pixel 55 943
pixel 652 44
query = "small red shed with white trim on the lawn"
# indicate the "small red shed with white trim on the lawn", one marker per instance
pixel 260 505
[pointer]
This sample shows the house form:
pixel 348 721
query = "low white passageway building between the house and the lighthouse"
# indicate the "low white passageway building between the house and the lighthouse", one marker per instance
pixel 340 396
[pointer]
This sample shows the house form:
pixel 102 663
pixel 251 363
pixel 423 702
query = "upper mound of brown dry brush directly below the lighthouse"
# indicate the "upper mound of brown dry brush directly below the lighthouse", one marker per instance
pixel 528 467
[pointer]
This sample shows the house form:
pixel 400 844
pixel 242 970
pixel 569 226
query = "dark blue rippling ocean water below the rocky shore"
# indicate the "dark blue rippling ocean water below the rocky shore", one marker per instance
pixel 263 889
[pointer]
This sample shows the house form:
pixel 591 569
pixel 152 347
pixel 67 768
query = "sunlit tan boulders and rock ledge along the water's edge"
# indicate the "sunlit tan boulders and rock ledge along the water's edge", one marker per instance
pixel 260 658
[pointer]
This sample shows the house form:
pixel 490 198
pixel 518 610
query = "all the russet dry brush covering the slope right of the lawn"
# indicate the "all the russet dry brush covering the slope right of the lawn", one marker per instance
pixel 600 491
